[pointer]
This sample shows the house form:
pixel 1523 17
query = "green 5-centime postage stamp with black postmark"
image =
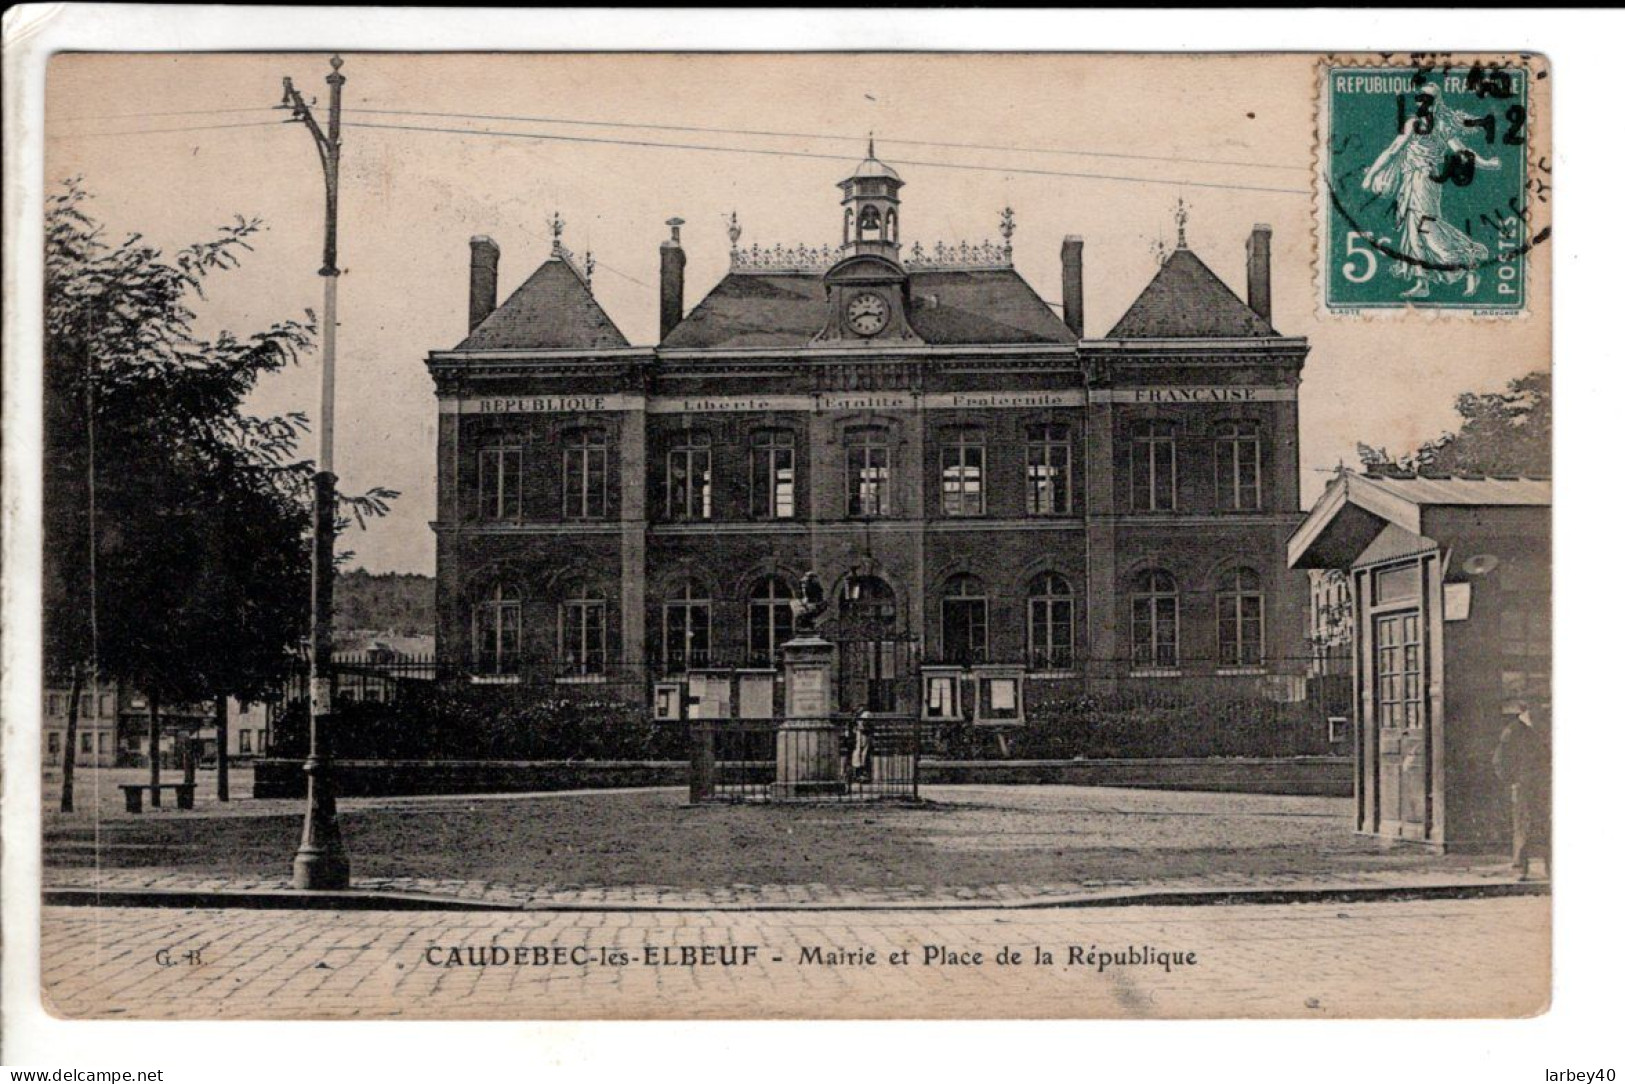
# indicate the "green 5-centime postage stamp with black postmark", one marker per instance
pixel 1426 199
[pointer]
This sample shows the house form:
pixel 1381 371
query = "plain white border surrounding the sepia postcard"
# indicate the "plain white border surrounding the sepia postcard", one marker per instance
pixel 1580 1033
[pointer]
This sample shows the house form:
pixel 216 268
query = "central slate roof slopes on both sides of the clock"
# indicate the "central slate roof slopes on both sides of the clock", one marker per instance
pixel 958 308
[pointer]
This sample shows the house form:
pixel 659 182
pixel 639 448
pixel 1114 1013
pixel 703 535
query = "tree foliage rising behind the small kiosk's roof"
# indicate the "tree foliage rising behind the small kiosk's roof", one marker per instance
pixel 1502 433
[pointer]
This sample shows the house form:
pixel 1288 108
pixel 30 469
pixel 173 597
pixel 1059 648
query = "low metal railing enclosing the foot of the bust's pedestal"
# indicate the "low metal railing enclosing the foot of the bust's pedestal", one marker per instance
pixel 776 760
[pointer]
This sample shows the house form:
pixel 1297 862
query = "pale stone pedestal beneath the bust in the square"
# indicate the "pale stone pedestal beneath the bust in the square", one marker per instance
pixel 808 744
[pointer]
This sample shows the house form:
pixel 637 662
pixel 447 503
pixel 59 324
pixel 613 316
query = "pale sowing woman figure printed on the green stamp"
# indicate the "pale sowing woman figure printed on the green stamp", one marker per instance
pixel 1426 157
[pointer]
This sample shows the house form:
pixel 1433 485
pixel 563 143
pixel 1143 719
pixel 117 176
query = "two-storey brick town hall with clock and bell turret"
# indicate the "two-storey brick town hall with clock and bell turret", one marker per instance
pixel 989 498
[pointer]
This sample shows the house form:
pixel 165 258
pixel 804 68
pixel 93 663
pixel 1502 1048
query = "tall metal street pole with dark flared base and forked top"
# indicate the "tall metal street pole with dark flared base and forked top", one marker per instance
pixel 321 862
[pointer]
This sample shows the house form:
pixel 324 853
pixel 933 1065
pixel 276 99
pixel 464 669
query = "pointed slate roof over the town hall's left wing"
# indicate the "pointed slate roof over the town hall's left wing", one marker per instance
pixel 552 311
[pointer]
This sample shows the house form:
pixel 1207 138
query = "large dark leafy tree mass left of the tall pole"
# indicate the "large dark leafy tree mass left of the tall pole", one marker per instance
pixel 176 524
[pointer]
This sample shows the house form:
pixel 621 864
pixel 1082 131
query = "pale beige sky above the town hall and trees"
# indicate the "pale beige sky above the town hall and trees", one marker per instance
pixel 1233 137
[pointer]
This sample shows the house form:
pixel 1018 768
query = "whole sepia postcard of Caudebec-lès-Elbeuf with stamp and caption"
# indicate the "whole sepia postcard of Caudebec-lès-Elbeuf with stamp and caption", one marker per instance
pixel 795 535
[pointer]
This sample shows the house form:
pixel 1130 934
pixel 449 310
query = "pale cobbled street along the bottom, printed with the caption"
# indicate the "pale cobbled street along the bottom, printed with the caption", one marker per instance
pixel 1389 960
